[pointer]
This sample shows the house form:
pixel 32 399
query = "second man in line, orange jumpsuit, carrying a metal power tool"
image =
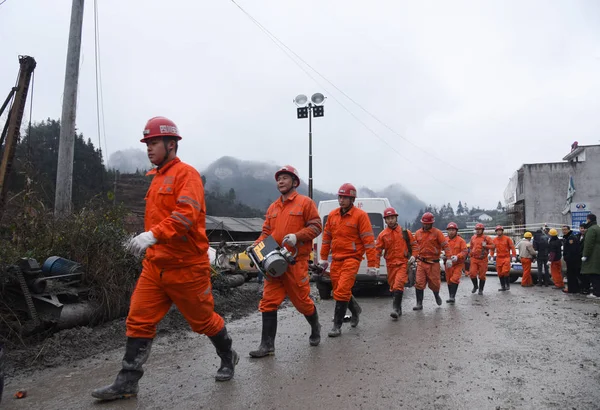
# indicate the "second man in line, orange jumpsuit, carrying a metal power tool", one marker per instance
pixel 292 220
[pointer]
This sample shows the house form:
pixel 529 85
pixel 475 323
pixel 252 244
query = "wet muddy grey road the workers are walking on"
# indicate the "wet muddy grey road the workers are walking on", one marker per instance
pixel 533 348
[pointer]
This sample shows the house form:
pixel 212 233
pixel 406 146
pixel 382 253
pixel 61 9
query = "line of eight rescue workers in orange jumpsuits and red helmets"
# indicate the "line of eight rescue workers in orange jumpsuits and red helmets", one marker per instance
pixel 176 266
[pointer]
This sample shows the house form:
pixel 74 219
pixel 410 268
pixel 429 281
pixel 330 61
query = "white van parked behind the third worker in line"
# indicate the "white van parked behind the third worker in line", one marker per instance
pixel 374 207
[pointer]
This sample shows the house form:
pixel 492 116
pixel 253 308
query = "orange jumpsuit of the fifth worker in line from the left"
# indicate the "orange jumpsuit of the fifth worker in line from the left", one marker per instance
pixel 427 247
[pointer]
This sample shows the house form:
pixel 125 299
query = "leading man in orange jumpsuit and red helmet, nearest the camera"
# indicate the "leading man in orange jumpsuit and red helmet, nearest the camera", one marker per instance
pixel 176 268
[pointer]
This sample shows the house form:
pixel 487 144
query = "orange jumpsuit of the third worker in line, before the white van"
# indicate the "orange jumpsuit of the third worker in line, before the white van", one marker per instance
pixel 348 237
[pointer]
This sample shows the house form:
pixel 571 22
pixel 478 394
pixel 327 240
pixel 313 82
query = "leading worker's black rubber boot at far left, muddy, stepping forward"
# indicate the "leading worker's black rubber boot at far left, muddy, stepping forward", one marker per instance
pixel 137 351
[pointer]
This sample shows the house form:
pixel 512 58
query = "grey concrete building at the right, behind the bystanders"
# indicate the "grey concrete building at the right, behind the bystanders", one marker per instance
pixel 537 193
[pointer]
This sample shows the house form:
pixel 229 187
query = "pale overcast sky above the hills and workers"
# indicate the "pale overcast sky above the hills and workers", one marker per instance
pixel 474 88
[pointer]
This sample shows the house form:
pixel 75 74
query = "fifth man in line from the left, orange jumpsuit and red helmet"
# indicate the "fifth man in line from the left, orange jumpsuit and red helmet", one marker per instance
pixel 427 247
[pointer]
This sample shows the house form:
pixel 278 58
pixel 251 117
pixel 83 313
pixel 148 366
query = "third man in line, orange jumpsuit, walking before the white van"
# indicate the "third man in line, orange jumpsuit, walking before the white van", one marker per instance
pixel 348 234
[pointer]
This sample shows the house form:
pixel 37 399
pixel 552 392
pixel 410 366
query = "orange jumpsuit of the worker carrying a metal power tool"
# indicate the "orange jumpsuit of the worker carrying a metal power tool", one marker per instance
pixel 298 215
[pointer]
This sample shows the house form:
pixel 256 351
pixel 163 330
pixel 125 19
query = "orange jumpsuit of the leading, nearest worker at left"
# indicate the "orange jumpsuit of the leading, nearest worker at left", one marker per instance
pixel 176 269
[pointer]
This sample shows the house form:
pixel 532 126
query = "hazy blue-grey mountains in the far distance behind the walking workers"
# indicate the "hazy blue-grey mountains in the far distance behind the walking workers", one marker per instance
pixel 254 185
